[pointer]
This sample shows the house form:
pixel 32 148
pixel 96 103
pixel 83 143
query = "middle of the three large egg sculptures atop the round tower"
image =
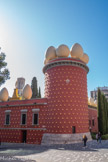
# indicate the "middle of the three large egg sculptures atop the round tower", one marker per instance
pixel 62 51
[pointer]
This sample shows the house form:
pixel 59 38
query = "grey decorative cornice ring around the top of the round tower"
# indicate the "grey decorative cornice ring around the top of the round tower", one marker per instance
pixel 65 63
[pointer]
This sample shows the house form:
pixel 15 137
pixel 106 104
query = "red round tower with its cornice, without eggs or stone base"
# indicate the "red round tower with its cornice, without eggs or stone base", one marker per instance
pixel 66 91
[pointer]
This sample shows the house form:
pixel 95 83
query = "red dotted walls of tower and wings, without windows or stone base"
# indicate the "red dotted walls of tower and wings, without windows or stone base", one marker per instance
pixel 65 105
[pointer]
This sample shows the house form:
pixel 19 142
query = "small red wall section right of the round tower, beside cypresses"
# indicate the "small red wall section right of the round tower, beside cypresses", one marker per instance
pixel 93 115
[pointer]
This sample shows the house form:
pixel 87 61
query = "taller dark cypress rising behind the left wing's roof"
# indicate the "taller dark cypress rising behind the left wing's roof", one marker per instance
pixel 34 88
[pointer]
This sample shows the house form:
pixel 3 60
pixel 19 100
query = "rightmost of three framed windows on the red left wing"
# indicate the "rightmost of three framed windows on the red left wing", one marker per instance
pixel 35 120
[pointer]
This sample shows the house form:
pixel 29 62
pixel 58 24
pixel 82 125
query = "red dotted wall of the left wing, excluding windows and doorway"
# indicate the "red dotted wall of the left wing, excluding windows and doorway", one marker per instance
pixel 13 132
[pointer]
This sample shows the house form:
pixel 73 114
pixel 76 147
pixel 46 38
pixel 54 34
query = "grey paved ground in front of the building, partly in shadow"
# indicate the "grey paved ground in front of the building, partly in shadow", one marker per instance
pixel 94 152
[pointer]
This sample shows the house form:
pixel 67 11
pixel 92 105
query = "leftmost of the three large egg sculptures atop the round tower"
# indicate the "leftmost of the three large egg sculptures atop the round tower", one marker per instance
pixel 50 53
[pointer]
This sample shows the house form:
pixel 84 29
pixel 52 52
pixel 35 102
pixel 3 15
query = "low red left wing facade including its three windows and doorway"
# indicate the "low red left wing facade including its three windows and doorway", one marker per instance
pixel 23 121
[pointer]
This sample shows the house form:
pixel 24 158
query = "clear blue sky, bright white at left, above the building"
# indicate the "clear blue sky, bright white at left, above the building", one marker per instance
pixel 29 27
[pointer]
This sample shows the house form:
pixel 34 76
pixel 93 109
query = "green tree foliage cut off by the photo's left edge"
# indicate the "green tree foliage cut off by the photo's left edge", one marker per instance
pixel 4 72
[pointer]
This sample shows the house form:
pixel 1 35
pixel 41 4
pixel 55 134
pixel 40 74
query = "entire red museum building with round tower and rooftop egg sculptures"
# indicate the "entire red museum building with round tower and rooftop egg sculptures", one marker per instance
pixel 63 115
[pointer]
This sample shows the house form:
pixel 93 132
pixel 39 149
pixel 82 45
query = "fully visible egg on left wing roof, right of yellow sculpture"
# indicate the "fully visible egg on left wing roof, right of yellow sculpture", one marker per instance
pixel 27 92
